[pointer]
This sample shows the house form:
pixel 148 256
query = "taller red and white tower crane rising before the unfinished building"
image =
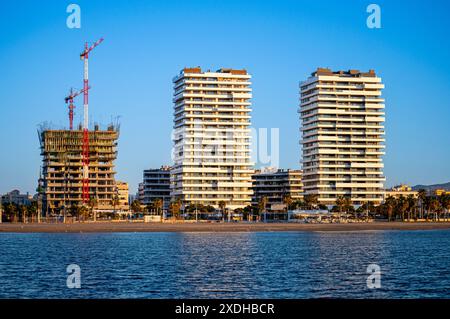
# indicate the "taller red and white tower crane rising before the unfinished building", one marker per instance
pixel 85 57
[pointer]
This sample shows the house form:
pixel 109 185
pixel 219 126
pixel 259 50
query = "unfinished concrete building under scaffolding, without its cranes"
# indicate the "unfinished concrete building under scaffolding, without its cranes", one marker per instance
pixel 62 170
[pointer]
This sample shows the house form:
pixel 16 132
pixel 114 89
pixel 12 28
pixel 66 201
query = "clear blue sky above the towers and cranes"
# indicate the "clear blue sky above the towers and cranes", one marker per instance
pixel 279 42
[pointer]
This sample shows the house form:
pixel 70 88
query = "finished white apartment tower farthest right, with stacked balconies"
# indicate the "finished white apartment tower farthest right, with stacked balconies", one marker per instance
pixel 342 115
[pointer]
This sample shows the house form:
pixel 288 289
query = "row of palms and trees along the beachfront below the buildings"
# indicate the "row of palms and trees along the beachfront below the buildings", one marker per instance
pixel 422 206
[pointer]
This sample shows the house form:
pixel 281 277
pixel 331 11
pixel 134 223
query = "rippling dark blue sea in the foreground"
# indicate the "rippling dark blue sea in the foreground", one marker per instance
pixel 227 265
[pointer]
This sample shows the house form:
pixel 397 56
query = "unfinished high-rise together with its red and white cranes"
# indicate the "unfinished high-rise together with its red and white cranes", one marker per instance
pixel 78 164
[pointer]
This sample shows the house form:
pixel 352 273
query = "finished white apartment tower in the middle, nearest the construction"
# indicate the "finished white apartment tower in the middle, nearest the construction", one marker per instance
pixel 211 138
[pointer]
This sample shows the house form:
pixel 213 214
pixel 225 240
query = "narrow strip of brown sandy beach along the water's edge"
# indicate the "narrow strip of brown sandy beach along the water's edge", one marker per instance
pixel 114 227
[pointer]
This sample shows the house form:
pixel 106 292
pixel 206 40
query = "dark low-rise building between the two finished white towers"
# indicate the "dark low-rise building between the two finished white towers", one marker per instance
pixel 275 184
